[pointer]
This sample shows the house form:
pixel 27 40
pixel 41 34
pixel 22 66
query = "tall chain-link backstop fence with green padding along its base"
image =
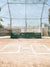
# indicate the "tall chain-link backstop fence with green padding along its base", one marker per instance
pixel 25 18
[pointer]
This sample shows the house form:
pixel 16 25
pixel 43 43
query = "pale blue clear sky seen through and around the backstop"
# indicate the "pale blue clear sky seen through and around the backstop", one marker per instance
pixel 18 11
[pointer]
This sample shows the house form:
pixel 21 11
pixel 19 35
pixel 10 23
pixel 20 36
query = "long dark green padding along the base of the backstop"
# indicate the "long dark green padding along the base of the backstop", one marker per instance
pixel 26 35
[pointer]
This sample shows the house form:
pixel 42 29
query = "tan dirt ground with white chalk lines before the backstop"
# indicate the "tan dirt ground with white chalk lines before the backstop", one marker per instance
pixel 25 52
